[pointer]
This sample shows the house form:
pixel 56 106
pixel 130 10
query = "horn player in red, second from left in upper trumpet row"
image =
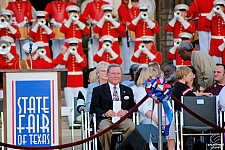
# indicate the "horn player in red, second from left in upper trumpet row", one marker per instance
pixel 40 32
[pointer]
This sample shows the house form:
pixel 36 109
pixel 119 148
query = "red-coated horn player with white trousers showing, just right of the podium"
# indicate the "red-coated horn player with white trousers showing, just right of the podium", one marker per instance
pixel 75 61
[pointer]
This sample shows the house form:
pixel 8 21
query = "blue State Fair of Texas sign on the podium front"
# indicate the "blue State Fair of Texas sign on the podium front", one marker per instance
pixel 33 113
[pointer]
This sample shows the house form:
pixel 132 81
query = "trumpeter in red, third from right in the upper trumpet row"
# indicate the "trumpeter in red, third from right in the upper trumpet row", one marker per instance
pixel 143 26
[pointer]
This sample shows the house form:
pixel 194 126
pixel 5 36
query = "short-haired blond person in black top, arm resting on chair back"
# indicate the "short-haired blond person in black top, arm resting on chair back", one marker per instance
pixel 184 75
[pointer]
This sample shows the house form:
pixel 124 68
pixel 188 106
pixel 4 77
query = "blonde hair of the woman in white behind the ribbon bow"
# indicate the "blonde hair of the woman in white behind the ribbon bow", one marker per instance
pixel 145 73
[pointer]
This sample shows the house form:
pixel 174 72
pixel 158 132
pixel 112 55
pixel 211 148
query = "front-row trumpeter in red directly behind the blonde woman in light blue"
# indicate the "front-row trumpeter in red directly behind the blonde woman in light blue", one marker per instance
pixel 107 53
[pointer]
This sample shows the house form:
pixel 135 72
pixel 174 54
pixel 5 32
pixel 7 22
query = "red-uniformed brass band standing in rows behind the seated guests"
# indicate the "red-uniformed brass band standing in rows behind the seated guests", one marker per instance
pixel 25 37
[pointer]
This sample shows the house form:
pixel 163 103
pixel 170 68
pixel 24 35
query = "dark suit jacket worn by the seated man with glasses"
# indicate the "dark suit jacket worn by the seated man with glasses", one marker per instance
pixel 102 100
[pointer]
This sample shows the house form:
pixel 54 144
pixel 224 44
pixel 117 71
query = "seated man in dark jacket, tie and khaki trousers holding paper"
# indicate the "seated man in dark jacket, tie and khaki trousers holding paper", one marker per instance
pixel 103 99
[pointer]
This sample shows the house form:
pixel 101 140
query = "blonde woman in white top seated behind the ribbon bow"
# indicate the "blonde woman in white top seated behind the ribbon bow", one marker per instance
pixel 148 114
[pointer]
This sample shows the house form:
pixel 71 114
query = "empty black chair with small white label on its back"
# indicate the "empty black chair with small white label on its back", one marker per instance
pixel 190 126
